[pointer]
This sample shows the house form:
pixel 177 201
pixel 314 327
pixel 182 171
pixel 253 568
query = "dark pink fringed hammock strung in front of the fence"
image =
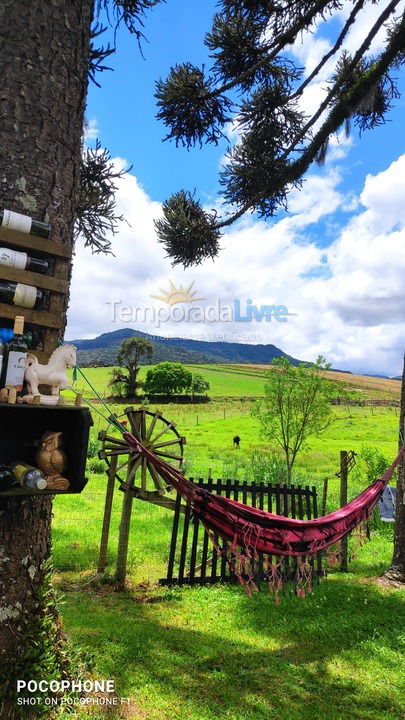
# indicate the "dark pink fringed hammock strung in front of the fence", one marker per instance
pixel 250 530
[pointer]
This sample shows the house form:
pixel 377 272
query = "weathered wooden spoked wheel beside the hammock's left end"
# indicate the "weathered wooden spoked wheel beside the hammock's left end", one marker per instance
pixel 158 435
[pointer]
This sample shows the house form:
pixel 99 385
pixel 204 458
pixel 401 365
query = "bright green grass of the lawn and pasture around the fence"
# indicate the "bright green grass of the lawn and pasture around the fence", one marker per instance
pixel 214 652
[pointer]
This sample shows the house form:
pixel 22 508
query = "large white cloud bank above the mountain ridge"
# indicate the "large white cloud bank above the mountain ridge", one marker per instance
pixel 348 296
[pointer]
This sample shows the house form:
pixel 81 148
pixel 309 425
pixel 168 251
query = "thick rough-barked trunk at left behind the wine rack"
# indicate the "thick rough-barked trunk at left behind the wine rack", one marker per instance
pixel 44 59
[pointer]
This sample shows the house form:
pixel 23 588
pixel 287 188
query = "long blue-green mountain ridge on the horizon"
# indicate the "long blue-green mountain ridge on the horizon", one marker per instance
pixel 102 350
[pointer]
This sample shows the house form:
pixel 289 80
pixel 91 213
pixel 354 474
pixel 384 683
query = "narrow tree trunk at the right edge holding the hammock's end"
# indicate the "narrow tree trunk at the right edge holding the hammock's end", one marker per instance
pixel 398 561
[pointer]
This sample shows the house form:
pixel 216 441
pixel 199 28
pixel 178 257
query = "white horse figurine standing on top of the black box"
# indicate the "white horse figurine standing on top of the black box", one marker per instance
pixel 54 373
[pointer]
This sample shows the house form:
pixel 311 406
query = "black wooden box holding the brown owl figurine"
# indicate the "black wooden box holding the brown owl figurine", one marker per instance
pixel 21 429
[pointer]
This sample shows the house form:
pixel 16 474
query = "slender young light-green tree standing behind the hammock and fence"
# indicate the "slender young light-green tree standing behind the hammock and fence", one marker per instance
pixel 296 406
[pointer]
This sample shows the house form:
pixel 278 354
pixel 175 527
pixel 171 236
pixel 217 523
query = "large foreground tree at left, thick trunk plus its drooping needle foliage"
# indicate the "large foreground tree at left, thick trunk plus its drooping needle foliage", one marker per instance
pixel 47 52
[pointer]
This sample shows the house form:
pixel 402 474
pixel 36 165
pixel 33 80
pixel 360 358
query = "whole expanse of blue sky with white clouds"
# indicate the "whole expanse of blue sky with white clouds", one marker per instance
pixel 336 259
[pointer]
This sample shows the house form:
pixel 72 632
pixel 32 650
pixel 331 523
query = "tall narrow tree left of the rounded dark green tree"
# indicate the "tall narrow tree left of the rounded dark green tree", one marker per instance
pixel 129 355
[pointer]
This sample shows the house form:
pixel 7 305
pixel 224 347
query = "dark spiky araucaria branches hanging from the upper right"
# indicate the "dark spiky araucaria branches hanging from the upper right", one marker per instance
pixel 256 83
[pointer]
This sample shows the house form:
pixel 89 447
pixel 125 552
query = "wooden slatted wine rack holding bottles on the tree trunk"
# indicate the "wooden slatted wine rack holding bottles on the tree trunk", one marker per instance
pixel 56 286
